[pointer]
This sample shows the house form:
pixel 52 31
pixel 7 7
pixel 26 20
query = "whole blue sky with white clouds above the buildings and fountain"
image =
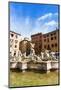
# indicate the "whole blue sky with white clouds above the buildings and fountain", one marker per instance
pixel 28 19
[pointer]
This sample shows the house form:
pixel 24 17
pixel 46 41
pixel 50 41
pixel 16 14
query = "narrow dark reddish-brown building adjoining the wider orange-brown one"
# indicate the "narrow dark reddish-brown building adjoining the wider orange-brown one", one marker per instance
pixel 37 39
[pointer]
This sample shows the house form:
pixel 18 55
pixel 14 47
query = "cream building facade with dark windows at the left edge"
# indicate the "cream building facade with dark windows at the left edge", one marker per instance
pixel 15 38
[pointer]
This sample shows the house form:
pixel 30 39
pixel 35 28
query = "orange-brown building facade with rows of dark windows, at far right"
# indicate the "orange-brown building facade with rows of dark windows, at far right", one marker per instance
pixel 50 41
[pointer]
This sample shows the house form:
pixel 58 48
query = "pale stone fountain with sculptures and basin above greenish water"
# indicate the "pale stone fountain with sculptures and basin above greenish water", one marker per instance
pixel 46 61
